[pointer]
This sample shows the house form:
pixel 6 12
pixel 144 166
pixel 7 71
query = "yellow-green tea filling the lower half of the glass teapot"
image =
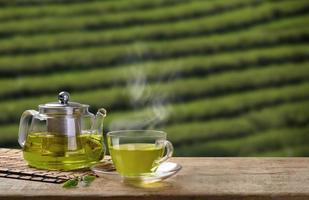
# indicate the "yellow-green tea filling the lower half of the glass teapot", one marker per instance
pixel 59 152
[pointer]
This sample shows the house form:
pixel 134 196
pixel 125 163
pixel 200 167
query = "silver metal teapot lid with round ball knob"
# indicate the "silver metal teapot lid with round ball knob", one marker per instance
pixel 63 106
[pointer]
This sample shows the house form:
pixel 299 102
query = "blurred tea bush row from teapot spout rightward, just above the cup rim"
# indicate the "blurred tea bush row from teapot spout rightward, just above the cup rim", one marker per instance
pixel 227 106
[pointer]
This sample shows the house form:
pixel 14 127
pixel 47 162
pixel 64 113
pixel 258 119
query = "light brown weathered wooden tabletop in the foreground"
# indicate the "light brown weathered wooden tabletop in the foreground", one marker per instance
pixel 200 178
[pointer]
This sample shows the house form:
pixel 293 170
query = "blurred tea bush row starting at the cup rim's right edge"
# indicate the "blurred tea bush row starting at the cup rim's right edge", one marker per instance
pixel 283 115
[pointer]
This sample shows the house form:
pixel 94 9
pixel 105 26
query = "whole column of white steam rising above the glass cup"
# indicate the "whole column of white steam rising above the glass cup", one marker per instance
pixel 143 97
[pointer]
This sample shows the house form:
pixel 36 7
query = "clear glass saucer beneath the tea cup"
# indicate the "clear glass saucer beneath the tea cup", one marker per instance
pixel 164 171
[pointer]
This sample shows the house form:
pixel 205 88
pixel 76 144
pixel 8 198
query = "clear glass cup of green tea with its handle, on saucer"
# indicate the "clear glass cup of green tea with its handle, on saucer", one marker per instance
pixel 138 152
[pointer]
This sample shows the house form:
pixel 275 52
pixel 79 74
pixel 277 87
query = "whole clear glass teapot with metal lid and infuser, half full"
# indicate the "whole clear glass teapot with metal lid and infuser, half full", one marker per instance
pixel 62 135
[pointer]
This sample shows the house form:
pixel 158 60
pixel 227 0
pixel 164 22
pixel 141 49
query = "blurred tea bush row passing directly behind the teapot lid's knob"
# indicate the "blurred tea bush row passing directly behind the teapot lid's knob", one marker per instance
pixel 117 98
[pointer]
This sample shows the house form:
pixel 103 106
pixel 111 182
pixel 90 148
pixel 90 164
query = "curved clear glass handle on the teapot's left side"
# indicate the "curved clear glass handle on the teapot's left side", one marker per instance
pixel 24 125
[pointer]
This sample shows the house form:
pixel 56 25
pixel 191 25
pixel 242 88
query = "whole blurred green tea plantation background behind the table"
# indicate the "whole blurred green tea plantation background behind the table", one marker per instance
pixel 223 77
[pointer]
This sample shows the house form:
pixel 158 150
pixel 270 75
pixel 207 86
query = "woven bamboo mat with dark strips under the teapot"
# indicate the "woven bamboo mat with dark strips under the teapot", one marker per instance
pixel 12 165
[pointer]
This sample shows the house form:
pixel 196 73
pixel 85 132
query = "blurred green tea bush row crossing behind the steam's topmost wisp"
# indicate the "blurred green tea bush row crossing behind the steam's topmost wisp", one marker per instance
pixel 91 57
